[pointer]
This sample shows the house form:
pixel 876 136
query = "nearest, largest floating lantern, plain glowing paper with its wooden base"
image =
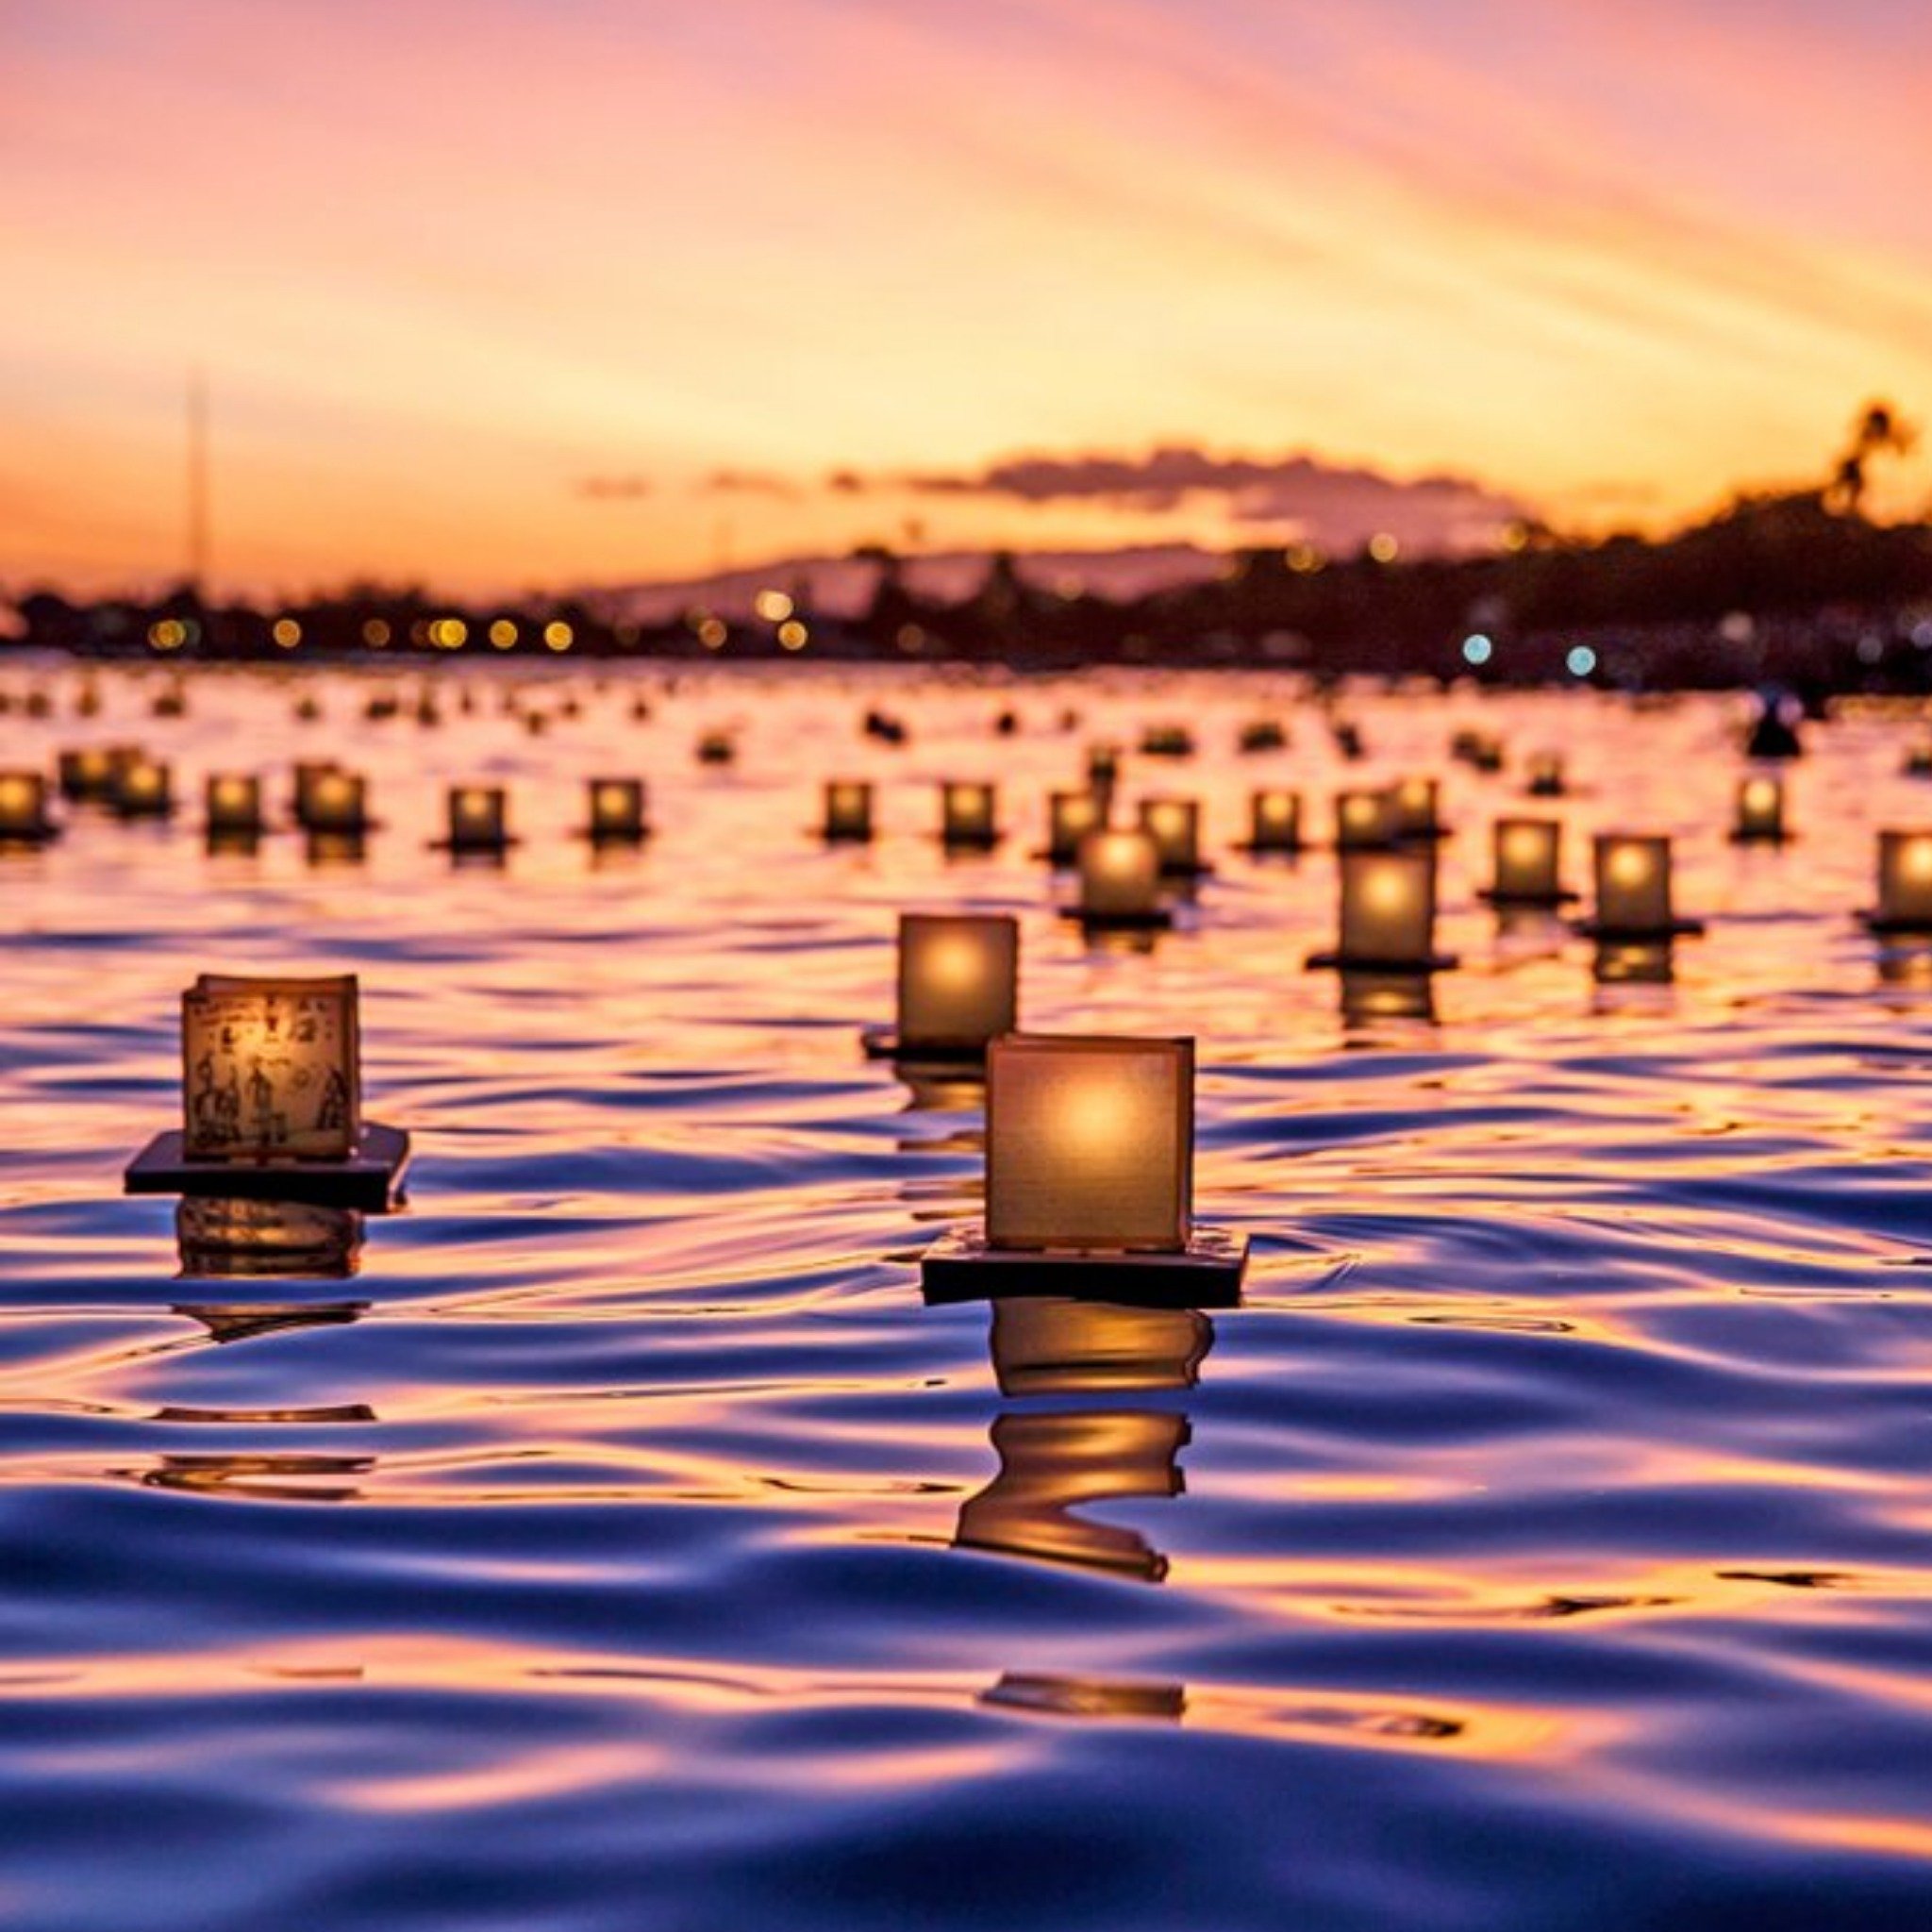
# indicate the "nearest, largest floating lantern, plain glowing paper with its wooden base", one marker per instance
pixel 1089 1178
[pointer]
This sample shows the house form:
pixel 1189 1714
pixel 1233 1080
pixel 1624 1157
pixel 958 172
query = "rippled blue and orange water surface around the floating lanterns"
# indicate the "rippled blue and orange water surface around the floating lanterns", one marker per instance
pixel 1545 1543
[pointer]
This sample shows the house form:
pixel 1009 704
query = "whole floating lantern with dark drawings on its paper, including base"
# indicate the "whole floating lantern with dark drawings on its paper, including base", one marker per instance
pixel 271 1098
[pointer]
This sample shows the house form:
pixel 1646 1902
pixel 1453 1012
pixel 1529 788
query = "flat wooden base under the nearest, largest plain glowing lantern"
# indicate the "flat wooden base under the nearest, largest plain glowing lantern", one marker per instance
pixel 1207 1274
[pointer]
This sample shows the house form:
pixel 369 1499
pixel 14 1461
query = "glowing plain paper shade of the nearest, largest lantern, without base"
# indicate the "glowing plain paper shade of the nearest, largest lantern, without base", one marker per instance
pixel 1091 1143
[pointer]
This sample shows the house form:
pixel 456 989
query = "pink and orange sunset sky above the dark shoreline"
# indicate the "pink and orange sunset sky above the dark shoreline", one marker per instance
pixel 540 293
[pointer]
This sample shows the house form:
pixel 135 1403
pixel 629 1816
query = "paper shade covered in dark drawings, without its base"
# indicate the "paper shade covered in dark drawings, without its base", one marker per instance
pixel 271 1069
